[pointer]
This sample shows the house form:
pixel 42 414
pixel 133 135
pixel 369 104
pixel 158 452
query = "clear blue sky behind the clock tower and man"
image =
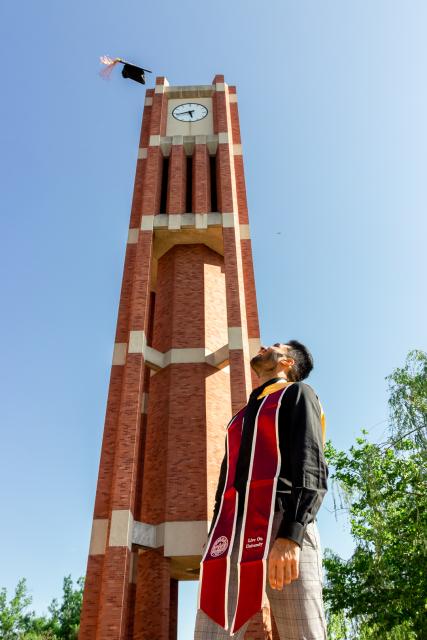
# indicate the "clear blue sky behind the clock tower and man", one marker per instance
pixel 333 104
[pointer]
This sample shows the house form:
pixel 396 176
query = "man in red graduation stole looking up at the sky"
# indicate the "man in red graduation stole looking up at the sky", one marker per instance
pixel 264 541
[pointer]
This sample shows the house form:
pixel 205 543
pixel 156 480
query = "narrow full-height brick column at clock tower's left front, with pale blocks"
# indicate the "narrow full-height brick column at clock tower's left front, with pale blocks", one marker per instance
pixel 113 611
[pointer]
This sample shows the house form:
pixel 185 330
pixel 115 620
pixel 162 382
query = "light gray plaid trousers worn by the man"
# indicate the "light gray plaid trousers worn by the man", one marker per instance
pixel 297 609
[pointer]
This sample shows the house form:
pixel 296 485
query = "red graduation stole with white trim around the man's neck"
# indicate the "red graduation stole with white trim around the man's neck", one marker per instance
pixel 257 520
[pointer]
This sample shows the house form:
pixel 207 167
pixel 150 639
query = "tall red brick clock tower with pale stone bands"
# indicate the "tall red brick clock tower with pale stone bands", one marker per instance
pixel 187 324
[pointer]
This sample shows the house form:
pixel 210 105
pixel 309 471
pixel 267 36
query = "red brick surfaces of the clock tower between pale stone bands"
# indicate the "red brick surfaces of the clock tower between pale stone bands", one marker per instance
pixel 147 459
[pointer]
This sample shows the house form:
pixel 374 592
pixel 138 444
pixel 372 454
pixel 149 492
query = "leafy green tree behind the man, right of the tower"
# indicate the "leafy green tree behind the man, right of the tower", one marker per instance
pixel 380 592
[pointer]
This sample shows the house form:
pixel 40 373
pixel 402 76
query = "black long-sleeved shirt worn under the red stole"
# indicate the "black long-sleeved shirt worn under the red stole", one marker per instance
pixel 302 482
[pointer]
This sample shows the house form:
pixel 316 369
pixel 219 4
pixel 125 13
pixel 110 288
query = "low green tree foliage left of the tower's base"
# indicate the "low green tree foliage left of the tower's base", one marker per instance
pixel 18 623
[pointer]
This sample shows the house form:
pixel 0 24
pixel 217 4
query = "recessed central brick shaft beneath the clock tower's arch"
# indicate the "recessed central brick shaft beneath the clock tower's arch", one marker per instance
pixel 189 398
